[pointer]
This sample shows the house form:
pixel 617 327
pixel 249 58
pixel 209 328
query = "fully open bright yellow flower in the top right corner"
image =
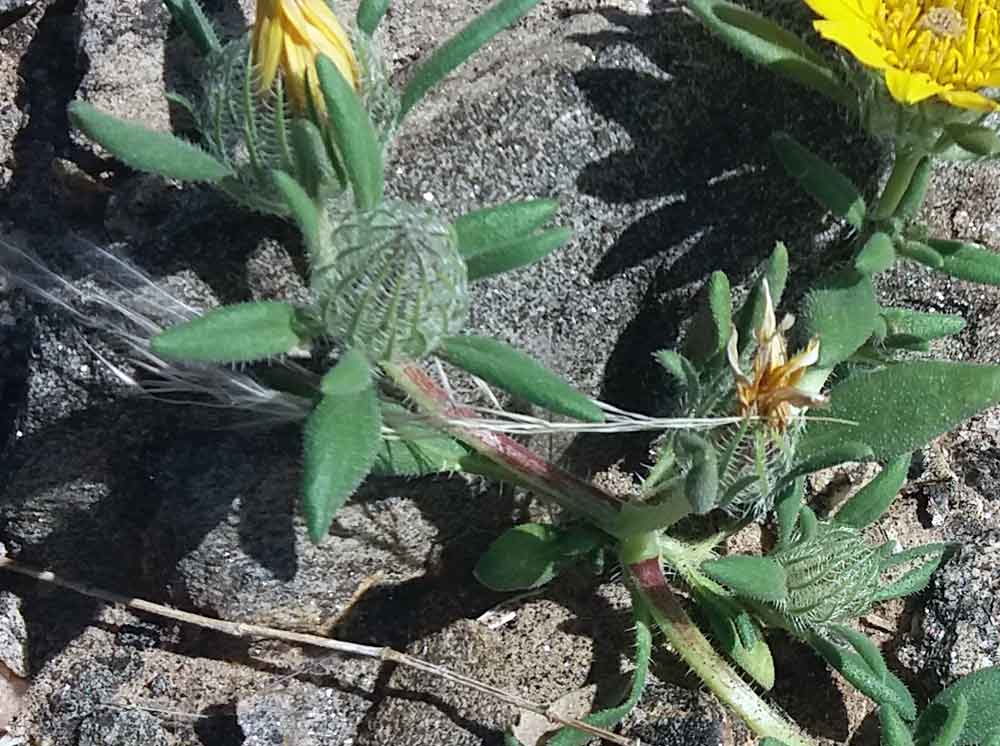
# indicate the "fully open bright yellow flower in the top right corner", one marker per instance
pixel 944 48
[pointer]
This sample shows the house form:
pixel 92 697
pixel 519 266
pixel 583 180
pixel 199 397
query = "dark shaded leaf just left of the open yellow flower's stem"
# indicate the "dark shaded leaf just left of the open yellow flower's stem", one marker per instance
pixel 824 183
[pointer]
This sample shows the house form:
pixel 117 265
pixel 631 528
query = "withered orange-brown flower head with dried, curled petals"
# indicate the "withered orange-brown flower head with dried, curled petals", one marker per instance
pixel 770 391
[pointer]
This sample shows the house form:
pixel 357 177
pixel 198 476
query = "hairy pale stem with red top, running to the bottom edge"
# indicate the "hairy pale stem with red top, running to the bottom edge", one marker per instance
pixel 695 650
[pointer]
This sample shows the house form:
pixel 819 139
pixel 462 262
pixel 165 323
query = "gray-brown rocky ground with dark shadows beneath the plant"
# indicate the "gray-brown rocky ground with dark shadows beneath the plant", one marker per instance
pixel 655 140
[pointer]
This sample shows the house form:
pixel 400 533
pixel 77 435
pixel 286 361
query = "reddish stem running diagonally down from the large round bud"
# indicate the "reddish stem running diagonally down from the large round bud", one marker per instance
pixel 548 480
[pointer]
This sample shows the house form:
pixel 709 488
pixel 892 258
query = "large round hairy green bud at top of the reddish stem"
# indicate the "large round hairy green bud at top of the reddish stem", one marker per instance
pixel 391 281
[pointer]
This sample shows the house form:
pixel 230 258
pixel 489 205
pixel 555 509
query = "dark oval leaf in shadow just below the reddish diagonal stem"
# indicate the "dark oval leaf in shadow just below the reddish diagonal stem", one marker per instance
pixel 526 556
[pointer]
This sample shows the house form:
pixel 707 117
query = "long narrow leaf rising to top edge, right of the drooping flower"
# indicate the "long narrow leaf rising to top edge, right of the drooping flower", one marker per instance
pixel 460 47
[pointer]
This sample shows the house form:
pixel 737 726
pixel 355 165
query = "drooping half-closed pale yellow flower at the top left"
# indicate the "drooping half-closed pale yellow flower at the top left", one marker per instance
pixel 288 34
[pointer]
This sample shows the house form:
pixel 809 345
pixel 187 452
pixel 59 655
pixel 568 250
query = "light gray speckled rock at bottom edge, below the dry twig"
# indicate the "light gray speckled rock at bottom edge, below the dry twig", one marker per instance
pixel 302 714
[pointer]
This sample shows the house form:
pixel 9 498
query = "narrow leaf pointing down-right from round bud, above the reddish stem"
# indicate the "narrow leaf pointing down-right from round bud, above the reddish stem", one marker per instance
pixel 500 364
